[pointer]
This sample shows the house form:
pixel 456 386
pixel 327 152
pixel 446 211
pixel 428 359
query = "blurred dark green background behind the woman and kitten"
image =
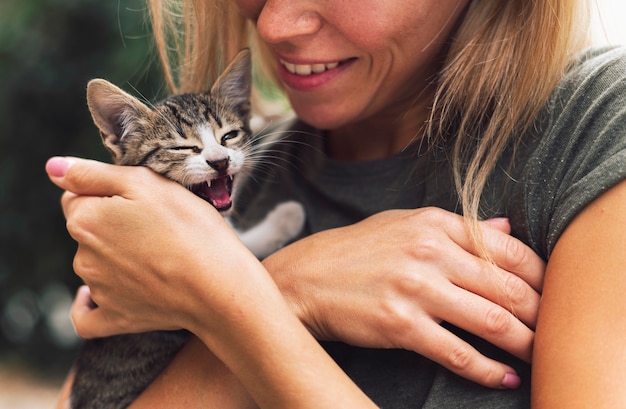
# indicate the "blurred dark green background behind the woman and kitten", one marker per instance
pixel 49 49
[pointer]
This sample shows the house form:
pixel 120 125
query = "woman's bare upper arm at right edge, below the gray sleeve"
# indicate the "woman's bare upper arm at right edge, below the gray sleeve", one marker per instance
pixel 580 347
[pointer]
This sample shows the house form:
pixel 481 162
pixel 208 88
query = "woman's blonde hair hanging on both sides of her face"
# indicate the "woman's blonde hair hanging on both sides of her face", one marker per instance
pixel 504 61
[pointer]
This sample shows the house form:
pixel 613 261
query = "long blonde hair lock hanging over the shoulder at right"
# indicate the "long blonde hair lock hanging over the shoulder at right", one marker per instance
pixel 503 64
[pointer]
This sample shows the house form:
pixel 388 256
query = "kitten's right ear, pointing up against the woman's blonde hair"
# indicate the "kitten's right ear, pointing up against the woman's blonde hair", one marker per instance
pixel 235 83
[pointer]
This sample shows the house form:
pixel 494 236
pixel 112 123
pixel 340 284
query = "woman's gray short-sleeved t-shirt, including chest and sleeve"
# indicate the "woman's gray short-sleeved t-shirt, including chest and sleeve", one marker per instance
pixel 575 151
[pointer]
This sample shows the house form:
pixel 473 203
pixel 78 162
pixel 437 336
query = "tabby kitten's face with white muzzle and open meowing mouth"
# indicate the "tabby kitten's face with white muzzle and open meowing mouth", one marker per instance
pixel 194 141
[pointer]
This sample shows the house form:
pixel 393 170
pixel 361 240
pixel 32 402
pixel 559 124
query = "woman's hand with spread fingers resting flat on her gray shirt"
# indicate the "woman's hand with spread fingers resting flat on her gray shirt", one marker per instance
pixel 390 280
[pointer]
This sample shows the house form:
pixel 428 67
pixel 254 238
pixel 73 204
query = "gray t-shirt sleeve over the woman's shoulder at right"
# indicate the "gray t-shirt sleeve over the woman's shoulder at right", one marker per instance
pixel 582 152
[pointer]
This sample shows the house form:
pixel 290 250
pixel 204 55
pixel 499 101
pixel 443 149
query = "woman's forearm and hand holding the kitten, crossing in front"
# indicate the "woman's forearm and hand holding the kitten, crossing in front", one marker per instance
pixel 219 291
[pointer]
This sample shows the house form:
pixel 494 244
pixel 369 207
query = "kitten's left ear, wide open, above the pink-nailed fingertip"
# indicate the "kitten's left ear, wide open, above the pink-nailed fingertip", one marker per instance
pixel 113 111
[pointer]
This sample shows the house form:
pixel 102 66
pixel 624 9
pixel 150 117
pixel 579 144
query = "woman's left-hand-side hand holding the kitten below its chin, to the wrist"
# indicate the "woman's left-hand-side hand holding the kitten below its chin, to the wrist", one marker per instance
pixel 140 240
